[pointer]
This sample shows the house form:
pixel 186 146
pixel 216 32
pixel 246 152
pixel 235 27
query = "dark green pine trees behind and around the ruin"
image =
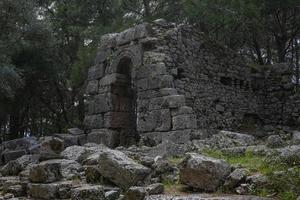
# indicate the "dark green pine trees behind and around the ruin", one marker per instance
pixel 46 47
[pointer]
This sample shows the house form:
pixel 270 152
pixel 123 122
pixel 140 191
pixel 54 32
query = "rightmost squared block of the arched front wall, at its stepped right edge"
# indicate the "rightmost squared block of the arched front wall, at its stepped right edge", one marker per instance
pixel 180 122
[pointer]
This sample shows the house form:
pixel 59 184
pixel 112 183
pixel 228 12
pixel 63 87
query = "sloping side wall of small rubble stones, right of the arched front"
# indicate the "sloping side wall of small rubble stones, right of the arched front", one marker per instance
pixel 217 83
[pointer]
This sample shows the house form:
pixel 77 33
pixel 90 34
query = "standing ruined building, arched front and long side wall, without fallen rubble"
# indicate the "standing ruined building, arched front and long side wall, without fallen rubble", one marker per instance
pixel 163 82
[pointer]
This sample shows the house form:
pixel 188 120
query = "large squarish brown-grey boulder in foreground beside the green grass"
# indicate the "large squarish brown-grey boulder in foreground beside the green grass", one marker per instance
pixel 202 172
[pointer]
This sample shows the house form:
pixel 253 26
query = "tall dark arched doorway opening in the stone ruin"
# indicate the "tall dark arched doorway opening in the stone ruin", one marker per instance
pixel 125 103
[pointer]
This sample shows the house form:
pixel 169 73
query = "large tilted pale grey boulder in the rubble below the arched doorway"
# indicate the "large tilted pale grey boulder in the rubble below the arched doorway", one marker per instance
pixel 120 169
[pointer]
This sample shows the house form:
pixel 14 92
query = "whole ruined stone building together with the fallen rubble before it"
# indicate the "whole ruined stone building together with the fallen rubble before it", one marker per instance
pixel 159 98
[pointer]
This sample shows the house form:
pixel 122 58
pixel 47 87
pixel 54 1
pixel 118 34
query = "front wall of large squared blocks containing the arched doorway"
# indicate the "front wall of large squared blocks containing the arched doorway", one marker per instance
pixel 131 94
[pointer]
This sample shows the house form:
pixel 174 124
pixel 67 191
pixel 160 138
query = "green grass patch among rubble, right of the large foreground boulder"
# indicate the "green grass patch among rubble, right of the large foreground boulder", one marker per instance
pixel 284 185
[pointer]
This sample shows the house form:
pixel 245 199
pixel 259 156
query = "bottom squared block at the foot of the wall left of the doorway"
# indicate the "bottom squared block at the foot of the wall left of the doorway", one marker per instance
pixel 104 136
